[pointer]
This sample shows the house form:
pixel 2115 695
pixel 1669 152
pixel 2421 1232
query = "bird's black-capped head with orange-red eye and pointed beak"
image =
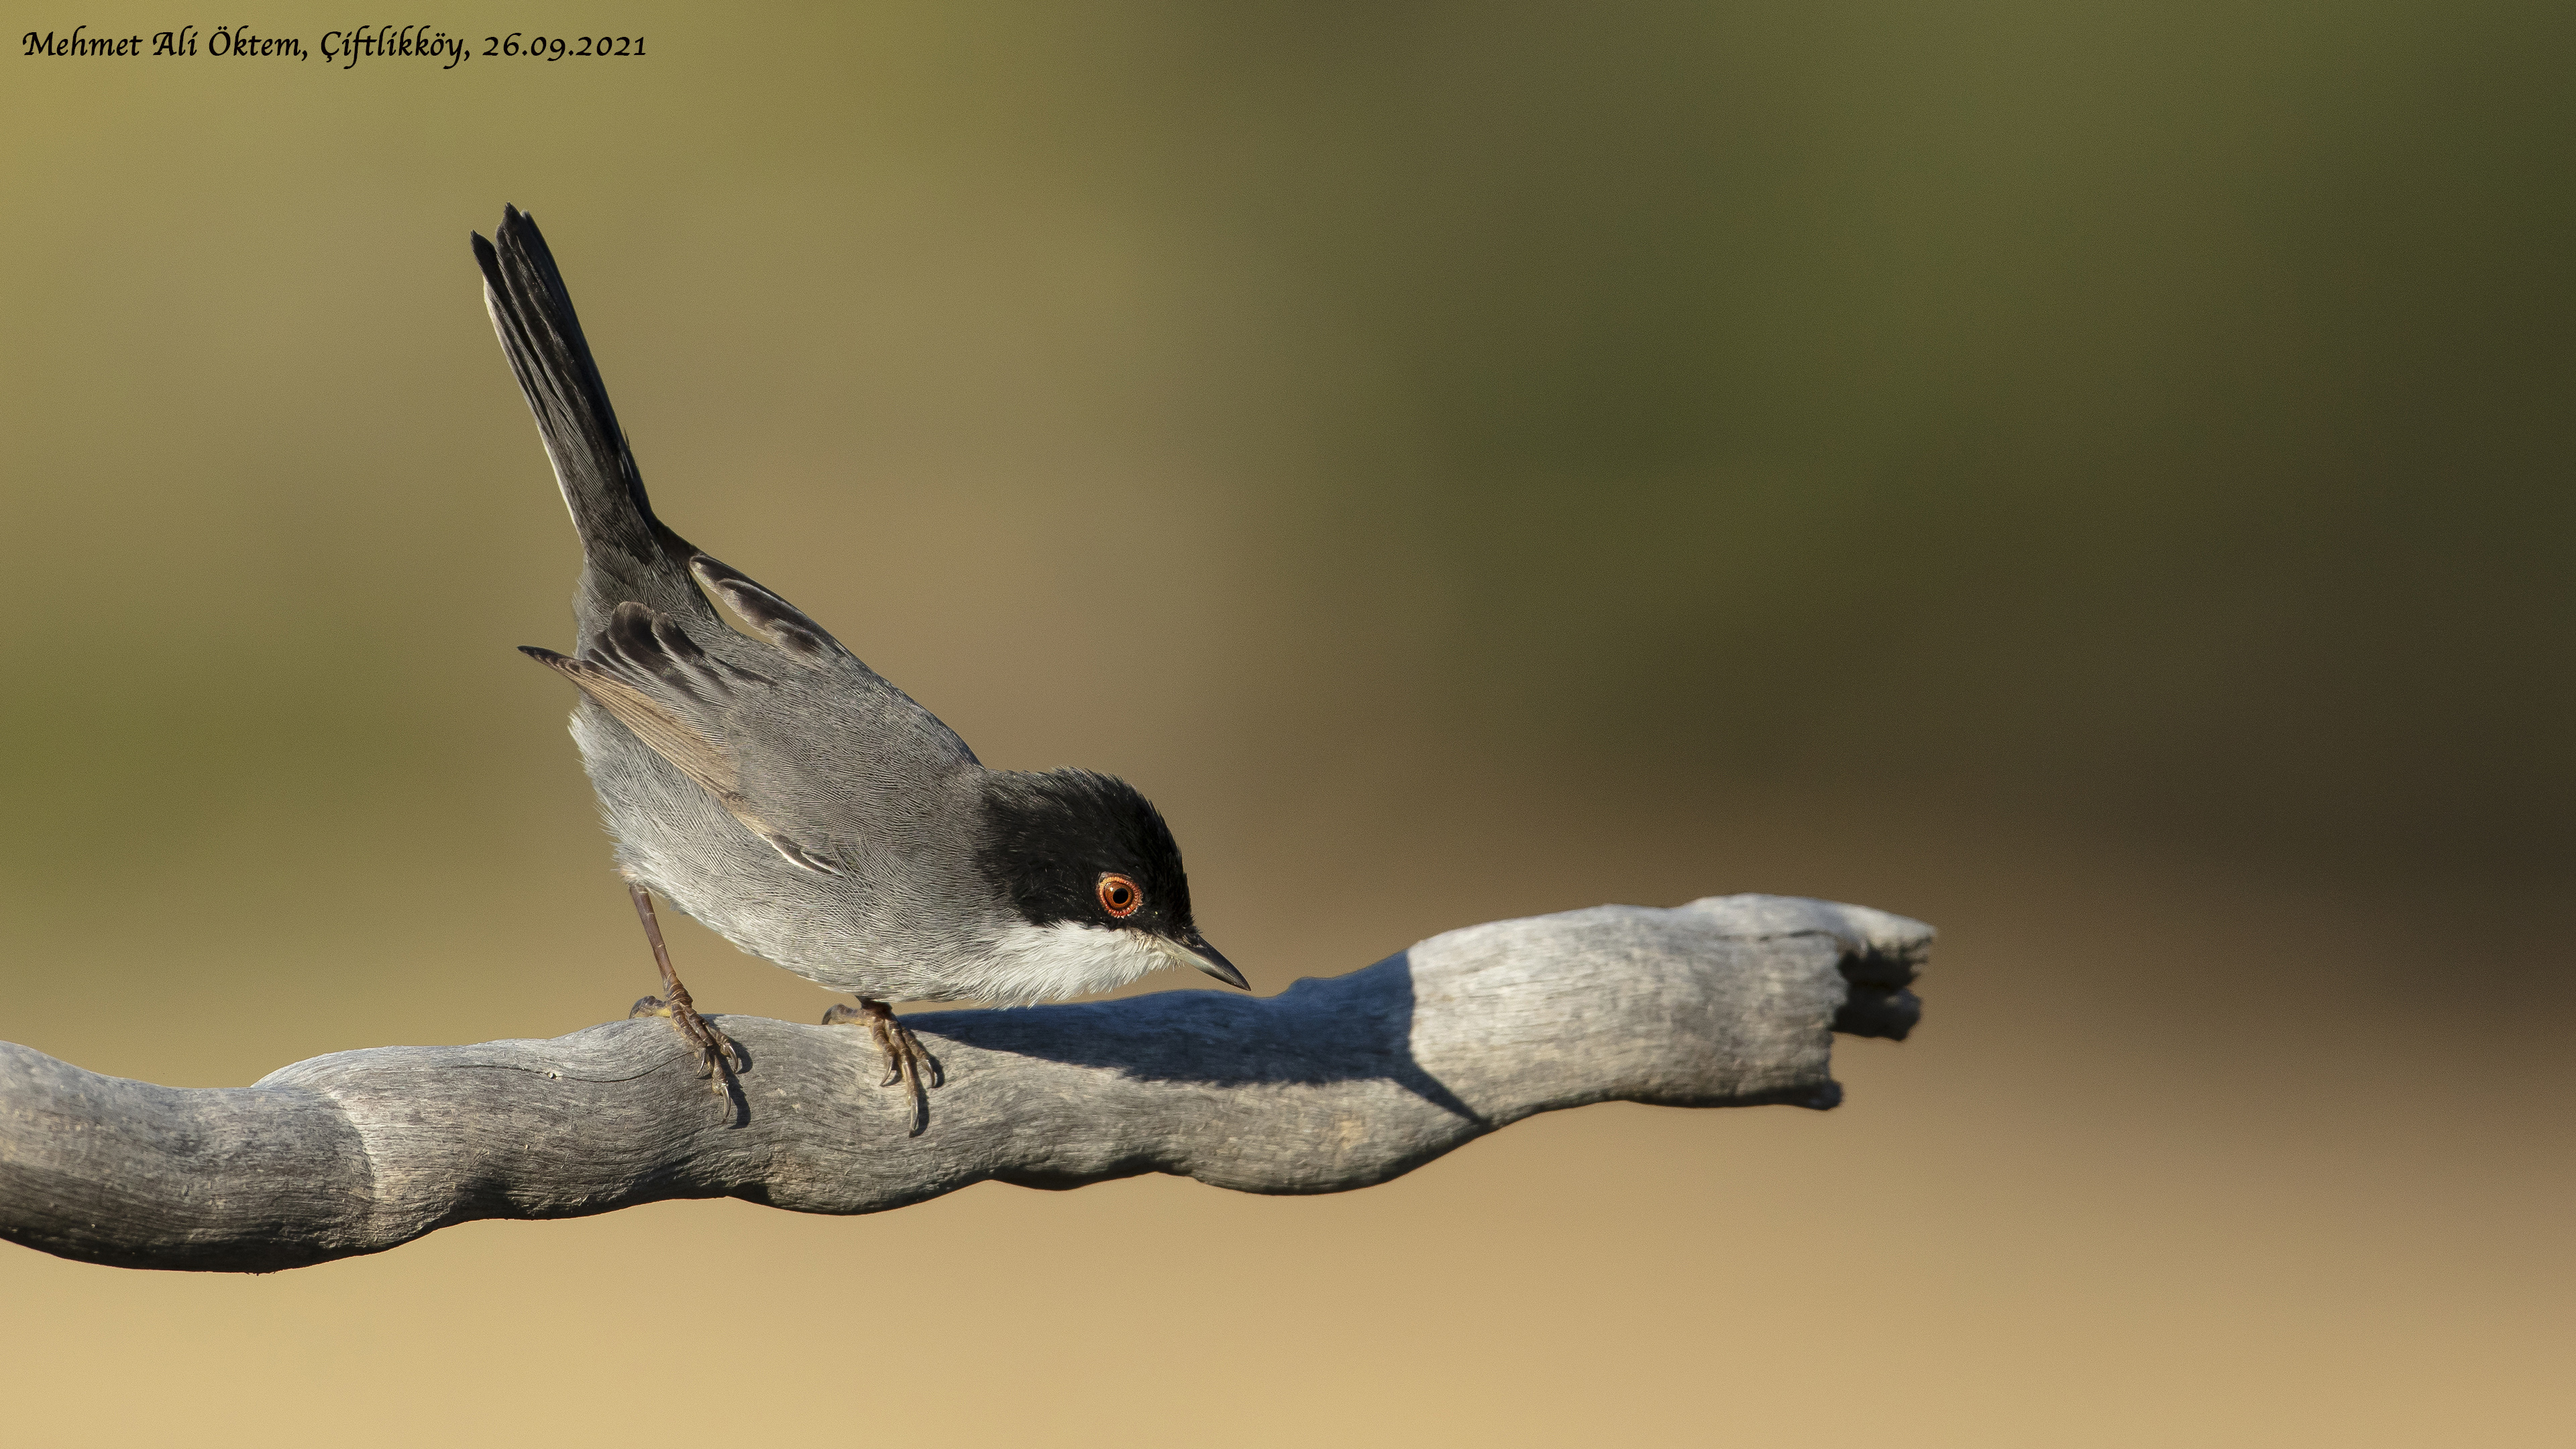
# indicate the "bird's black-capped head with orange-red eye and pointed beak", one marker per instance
pixel 1086 850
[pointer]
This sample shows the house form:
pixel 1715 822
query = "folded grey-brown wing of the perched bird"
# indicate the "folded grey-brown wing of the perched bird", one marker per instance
pixel 790 741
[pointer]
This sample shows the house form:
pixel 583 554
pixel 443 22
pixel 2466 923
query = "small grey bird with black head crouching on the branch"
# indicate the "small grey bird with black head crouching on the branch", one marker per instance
pixel 792 798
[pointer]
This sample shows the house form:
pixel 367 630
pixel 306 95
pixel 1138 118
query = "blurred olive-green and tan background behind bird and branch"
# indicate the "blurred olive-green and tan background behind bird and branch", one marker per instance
pixel 2090 478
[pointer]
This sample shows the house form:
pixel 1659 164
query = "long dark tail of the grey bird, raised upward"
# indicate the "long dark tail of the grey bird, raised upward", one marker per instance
pixel 627 553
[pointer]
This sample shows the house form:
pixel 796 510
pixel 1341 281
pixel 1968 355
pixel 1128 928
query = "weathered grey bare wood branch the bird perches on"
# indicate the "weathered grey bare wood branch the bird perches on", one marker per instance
pixel 1333 1084
